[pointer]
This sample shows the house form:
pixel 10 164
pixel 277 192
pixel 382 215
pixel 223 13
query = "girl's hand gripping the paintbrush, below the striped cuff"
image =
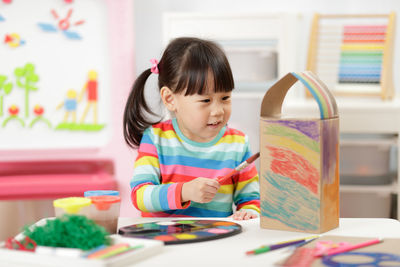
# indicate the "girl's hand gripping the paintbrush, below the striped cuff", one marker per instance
pixel 201 190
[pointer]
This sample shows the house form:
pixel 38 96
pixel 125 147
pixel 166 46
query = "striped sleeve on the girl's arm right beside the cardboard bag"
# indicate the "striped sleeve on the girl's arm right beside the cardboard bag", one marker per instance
pixel 247 188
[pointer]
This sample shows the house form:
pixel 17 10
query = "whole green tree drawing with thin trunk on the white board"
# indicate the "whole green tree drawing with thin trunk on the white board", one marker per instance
pixel 26 78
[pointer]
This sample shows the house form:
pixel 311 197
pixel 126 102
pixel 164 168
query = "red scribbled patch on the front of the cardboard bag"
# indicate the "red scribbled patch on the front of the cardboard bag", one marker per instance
pixel 294 166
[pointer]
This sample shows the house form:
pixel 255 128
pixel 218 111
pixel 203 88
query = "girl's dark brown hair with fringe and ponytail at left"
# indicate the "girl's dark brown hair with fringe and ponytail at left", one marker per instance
pixel 183 68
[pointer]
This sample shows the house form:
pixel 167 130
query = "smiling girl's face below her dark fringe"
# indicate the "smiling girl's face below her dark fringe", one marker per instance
pixel 201 117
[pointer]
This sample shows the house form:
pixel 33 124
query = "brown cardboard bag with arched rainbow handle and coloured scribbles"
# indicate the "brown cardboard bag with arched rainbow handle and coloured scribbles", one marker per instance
pixel 299 161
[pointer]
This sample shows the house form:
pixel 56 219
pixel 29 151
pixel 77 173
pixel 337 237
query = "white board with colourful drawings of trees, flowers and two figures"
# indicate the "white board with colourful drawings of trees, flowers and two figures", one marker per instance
pixel 55 85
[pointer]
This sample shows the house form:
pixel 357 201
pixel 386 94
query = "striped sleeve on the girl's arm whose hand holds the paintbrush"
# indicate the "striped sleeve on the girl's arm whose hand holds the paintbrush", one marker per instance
pixel 148 194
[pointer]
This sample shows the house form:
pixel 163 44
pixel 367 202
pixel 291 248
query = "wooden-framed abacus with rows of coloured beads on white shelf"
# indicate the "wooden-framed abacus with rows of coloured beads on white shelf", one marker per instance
pixel 353 54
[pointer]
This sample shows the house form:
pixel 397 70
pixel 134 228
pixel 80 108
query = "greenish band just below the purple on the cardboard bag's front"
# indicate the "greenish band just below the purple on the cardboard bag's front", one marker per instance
pixel 294 135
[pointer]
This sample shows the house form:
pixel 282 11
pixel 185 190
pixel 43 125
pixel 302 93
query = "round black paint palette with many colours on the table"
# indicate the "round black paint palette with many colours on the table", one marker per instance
pixel 182 231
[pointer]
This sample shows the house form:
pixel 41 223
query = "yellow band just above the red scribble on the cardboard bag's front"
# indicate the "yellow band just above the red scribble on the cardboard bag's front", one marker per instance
pixel 283 142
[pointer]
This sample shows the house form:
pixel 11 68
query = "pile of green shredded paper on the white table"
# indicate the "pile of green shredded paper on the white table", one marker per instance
pixel 69 231
